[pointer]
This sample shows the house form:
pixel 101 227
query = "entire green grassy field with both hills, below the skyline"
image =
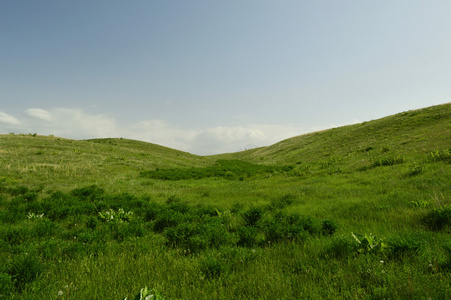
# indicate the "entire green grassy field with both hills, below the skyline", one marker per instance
pixel 356 212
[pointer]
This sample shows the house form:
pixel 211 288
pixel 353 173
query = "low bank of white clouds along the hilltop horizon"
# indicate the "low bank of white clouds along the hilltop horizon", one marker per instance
pixel 78 124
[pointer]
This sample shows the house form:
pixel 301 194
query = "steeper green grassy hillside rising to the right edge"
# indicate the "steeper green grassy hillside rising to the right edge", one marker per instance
pixel 413 132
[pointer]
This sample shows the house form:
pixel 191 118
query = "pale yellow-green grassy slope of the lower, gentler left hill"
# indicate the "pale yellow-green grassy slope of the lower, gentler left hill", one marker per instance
pixel 64 163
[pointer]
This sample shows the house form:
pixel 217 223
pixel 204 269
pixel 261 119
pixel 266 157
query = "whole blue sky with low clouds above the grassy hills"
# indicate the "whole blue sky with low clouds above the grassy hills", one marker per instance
pixel 210 77
